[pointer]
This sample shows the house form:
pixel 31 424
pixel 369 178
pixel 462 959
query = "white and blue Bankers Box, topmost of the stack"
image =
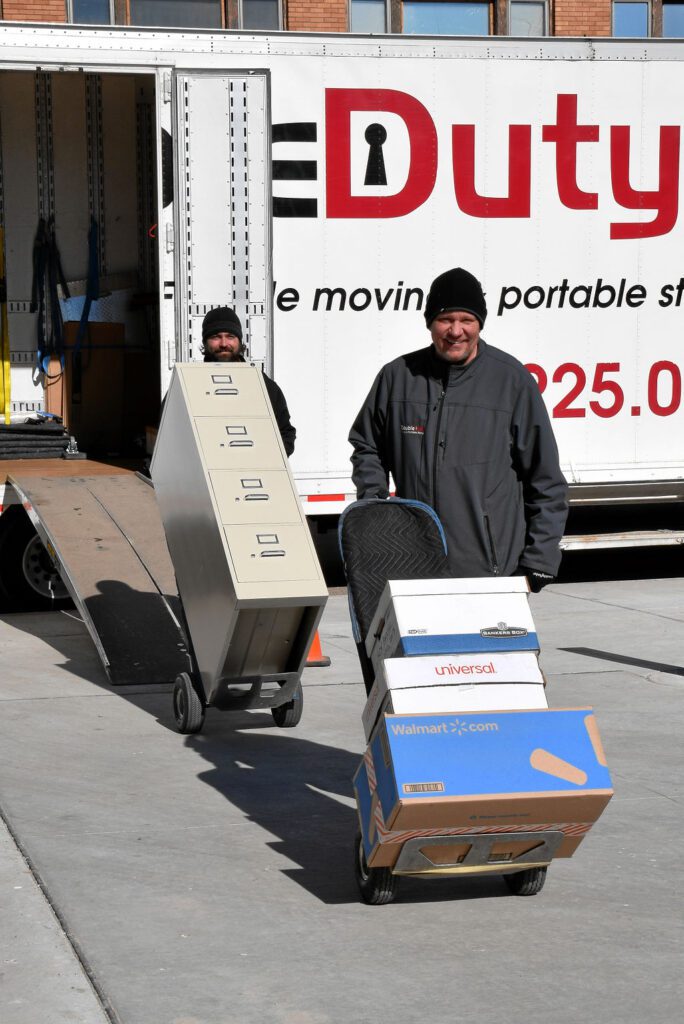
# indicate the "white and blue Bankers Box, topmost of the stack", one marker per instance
pixel 451 617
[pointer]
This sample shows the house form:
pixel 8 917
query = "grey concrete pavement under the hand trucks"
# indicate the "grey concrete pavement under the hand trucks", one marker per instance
pixel 208 880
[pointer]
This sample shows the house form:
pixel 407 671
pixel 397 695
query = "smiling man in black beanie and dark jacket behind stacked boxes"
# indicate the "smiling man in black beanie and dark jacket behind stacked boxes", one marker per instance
pixel 461 425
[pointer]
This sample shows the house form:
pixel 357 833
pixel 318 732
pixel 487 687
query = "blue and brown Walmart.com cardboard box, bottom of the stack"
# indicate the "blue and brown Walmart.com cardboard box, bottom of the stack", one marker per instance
pixel 521 771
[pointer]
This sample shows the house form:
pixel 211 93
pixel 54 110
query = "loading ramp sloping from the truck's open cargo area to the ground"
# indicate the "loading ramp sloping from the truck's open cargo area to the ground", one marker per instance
pixel 105 535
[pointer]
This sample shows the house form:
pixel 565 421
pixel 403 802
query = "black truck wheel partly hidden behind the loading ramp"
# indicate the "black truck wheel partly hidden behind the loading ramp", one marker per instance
pixel 29 581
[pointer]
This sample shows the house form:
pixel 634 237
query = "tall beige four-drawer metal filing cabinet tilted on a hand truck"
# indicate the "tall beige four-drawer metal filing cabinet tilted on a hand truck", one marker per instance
pixel 248 574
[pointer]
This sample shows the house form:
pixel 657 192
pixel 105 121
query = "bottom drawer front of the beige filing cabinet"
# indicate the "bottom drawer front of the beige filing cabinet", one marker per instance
pixel 272 553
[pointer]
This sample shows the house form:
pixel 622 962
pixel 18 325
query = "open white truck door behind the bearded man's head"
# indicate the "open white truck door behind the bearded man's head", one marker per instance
pixel 216 238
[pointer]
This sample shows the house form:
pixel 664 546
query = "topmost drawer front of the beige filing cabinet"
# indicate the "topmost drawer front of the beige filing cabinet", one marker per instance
pixel 225 391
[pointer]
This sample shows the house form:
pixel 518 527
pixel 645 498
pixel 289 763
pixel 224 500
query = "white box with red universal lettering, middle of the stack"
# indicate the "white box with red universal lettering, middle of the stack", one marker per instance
pixel 455 684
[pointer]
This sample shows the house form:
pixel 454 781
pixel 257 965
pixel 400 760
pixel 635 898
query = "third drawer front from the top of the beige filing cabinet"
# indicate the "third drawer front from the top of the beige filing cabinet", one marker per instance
pixel 265 497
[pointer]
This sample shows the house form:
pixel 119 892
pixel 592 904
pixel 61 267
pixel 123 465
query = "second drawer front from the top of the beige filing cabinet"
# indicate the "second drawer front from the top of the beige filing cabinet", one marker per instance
pixel 239 443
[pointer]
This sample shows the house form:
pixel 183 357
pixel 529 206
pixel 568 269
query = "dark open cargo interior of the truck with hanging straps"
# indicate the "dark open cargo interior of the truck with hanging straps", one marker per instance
pixel 78 202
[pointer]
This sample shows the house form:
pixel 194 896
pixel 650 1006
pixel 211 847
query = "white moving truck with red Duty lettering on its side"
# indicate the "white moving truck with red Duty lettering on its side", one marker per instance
pixel 550 168
